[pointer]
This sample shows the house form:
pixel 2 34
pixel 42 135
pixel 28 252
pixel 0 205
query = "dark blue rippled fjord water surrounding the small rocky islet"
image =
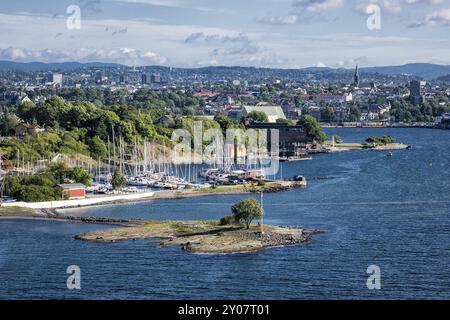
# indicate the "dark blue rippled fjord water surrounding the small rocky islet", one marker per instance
pixel 393 212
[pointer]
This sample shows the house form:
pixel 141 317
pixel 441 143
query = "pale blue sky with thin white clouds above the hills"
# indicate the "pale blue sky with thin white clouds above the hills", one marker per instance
pixel 196 33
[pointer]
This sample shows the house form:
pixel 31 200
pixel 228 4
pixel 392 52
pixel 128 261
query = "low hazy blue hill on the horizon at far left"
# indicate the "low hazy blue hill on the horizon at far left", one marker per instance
pixel 63 66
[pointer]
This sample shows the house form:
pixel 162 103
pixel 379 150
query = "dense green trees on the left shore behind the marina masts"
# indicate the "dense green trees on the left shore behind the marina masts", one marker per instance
pixel 87 127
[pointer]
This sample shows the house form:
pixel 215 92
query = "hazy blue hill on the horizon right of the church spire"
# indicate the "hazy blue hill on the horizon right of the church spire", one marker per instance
pixel 424 70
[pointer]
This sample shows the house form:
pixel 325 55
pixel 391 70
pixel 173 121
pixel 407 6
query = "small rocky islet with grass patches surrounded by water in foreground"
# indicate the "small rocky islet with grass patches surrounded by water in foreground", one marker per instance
pixel 204 236
